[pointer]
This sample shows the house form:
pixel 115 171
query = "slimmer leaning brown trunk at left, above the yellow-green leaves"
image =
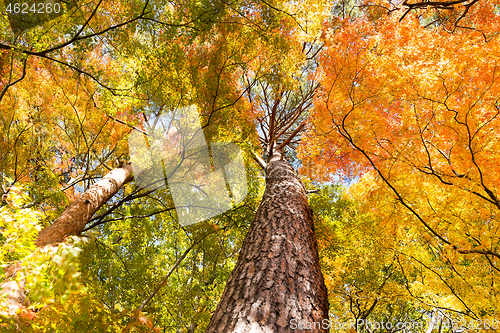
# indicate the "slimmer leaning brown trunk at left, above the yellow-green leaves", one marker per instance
pixel 74 218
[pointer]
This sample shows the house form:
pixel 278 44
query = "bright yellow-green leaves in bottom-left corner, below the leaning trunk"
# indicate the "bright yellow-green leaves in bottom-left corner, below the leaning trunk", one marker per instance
pixel 50 276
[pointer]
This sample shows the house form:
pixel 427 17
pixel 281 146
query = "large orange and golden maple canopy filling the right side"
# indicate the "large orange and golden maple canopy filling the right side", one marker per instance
pixel 413 111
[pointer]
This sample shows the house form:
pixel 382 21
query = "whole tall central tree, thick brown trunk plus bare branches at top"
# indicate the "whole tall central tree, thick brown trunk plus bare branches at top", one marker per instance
pixel 277 281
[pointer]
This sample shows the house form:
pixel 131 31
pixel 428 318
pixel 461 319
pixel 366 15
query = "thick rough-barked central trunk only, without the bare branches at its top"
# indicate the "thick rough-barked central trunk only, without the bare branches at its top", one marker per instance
pixel 276 283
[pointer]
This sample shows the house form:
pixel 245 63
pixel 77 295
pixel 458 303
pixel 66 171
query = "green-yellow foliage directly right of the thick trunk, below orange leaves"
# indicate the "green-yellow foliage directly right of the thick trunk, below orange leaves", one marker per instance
pixel 366 287
